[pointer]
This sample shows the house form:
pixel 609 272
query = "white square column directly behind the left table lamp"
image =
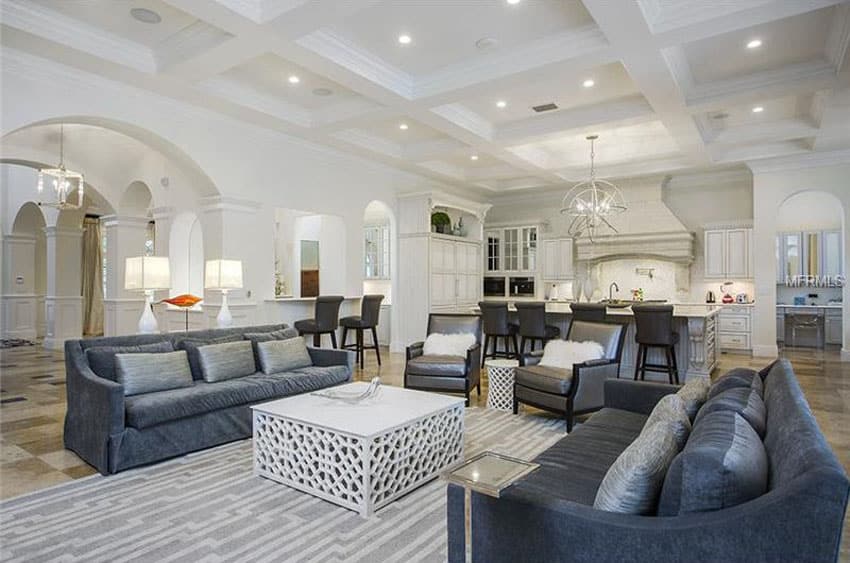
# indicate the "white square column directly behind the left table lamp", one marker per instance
pixel 125 237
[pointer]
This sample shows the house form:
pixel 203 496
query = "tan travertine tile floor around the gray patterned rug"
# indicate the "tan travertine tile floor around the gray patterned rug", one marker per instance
pixel 32 409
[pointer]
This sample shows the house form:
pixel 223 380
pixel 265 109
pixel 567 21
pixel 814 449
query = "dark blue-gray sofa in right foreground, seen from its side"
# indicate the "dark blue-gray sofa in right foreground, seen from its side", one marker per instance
pixel 549 515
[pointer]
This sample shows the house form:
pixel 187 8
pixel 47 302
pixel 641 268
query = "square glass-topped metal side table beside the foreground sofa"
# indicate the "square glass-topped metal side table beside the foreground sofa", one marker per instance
pixel 488 473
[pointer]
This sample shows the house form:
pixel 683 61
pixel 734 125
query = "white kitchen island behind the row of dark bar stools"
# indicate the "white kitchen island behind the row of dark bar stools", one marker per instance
pixel 696 352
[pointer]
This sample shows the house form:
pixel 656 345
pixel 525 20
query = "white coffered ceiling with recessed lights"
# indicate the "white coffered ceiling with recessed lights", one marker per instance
pixel 447 89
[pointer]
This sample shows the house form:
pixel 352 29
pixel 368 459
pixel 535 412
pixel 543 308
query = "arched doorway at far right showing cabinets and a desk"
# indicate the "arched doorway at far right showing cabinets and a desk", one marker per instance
pixel 810 270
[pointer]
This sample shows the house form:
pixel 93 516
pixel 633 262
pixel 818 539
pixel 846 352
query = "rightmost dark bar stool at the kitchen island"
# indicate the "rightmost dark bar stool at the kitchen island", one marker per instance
pixel 654 329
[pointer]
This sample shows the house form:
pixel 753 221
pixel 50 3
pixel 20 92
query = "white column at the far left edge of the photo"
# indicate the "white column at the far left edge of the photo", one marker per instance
pixel 19 301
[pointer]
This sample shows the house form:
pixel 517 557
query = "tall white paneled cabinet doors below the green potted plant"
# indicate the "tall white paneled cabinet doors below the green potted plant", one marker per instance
pixel 455 273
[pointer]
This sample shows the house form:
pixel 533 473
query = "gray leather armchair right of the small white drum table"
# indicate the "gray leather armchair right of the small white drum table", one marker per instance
pixel 576 391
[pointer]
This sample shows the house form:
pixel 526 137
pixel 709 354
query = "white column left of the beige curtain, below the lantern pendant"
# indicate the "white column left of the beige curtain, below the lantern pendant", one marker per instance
pixel 63 302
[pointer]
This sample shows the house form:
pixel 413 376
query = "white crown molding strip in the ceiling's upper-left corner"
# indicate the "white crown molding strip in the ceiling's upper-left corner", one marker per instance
pixel 50 25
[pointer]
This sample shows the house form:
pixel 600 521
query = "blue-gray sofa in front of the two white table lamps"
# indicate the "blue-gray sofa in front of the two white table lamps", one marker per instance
pixel 113 432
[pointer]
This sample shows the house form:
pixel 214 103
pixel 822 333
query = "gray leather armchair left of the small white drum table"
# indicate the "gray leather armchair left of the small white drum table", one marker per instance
pixel 446 373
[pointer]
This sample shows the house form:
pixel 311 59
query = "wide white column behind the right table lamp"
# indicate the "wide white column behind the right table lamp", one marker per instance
pixel 237 229
